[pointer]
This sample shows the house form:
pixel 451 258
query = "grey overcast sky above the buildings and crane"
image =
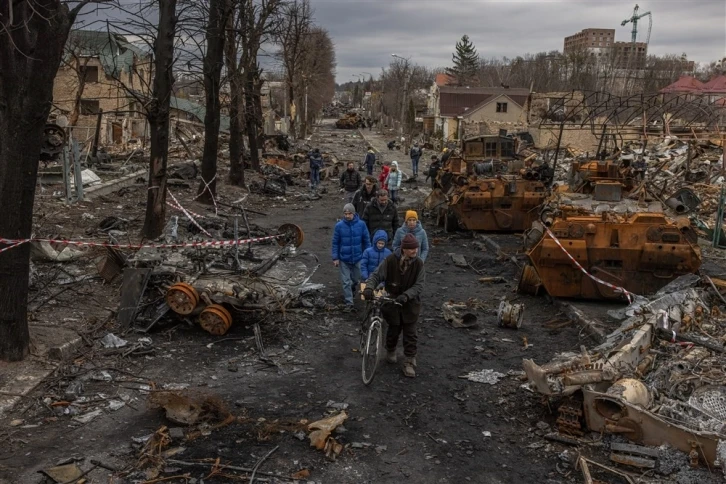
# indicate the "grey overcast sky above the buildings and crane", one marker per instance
pixel 366 32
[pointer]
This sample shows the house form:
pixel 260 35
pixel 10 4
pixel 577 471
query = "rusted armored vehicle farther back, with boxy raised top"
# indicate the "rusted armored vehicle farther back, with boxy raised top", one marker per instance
pixel 487 188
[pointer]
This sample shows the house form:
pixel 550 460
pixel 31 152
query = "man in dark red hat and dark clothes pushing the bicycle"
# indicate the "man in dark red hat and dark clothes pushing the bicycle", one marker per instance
pixel 404 276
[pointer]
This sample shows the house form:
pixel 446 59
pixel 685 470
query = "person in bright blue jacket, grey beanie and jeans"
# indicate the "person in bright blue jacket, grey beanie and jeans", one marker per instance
pixel 350 240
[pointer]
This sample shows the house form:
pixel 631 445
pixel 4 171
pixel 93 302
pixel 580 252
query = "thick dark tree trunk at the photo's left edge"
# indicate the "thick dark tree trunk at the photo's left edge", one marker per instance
pixel 30 54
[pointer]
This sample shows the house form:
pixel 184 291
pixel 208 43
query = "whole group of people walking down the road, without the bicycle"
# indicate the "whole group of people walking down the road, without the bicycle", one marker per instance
pixel 372 248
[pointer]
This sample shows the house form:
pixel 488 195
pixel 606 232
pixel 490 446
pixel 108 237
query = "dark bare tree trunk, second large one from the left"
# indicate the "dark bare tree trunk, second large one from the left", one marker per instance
pixel 158 116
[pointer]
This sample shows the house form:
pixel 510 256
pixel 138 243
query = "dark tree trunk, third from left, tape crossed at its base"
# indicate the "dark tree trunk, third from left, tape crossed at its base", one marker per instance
pixel 213 61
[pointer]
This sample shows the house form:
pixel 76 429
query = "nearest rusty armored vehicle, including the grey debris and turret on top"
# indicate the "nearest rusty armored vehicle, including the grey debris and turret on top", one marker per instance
pixel 603 246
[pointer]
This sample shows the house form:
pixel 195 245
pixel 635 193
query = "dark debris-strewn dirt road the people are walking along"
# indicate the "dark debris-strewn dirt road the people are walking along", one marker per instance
pixel 437 427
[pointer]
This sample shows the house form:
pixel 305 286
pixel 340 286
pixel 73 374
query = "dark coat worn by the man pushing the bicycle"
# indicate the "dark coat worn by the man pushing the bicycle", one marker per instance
pixel 410 283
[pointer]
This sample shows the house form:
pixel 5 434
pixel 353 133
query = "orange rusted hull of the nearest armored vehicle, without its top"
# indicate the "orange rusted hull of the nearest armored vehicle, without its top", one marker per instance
pixel 640 253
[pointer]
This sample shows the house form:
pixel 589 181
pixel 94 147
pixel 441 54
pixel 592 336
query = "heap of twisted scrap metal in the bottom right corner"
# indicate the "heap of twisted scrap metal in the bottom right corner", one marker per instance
pixel 659 379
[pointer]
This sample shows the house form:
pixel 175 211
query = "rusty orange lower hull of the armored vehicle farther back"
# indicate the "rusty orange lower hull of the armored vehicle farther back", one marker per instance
pixel 497 204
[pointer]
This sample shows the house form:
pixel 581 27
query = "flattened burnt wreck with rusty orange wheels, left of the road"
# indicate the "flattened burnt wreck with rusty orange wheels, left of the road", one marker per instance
pixel 217 284
